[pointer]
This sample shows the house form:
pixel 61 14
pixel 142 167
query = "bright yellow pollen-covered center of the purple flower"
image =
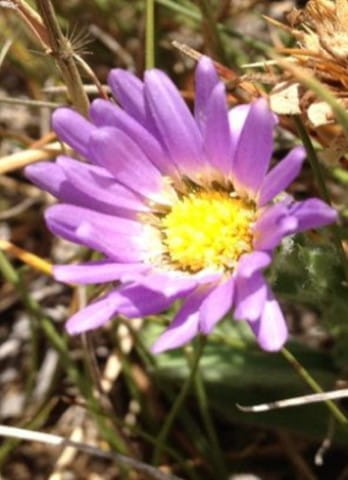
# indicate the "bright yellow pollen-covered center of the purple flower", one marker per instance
pixel 208 229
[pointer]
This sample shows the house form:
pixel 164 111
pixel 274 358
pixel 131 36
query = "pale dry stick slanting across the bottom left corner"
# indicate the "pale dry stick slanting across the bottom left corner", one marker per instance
pixel 58 441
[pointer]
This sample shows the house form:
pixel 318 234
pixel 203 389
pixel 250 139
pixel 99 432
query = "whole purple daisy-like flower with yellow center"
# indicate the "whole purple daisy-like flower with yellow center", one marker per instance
pixel 179 206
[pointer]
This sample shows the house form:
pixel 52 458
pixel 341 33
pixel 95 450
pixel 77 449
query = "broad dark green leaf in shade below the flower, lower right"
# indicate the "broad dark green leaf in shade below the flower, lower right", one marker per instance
pixel 235 371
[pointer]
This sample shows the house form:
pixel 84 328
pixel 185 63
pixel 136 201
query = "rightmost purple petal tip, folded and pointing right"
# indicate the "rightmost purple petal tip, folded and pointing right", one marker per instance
pixel 312 213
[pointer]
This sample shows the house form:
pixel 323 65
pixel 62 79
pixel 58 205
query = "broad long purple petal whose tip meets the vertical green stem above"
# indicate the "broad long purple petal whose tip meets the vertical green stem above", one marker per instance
pixel 178 130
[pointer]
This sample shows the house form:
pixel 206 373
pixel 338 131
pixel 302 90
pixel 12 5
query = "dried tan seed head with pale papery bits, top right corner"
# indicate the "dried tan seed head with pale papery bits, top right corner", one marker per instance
pixel 321 31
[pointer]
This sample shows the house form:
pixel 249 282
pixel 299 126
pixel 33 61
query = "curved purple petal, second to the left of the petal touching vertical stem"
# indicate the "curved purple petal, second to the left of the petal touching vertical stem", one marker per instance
pixel 104 113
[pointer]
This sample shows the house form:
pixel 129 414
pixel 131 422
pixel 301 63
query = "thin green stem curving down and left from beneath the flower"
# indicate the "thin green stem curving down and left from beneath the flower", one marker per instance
pixel 178 403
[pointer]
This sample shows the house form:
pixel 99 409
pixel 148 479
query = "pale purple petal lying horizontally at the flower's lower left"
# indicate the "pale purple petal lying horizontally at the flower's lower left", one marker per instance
pixel 99 271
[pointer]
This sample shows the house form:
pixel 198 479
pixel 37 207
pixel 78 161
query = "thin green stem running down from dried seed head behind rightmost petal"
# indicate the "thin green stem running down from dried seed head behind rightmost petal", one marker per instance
pixel 317 170
